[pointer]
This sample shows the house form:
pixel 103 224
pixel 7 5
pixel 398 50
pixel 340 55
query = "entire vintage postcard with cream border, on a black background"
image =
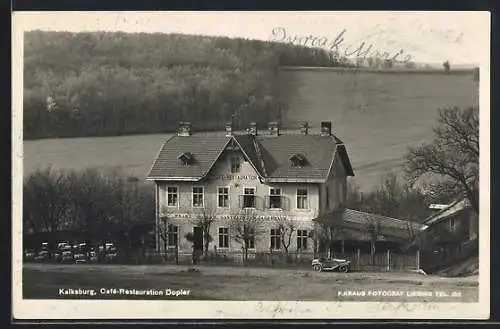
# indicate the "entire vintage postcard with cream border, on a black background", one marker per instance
pixel 231 165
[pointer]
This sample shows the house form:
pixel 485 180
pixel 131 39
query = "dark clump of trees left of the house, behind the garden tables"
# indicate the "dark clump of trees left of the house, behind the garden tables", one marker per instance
pixel 86 206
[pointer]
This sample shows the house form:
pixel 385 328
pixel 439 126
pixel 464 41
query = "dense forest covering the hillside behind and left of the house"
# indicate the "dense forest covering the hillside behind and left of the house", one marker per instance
pixel 113 83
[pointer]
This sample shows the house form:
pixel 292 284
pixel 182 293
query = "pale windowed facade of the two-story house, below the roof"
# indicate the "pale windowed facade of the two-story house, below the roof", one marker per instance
pixel 222 194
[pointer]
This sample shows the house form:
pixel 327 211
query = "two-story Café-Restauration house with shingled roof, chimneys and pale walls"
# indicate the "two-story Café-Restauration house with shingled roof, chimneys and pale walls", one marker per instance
pixel 277 176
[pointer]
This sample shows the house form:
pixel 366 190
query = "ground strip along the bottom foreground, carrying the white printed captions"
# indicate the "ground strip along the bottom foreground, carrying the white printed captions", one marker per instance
pixel 43 281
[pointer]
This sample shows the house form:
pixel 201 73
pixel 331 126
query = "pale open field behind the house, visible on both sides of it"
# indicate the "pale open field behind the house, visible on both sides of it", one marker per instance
pixel 378 115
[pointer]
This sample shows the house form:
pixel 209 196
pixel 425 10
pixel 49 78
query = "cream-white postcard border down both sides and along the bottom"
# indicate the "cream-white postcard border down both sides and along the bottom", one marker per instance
pixel 169 309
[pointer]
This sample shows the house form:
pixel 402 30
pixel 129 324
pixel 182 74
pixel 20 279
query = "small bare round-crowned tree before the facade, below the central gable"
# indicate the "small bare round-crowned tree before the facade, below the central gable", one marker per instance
pixel 246 226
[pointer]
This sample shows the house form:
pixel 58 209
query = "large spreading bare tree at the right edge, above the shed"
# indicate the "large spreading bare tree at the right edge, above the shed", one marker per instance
pixel 451 160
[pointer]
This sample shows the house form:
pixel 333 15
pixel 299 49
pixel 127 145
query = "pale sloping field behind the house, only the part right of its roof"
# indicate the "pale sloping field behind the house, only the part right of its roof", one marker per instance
pixel 377 114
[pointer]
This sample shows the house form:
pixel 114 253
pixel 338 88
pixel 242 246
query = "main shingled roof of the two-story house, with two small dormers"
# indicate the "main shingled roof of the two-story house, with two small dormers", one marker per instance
pixel 269 155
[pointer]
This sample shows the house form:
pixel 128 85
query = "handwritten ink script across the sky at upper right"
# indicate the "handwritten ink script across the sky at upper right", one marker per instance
pixel 338 47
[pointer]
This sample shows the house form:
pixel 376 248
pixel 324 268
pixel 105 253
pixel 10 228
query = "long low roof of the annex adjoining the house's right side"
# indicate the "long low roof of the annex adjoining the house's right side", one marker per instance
pixel 360 220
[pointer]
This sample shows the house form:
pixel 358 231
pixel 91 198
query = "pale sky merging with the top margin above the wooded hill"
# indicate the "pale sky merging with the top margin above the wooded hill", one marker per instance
pixel 462 38
